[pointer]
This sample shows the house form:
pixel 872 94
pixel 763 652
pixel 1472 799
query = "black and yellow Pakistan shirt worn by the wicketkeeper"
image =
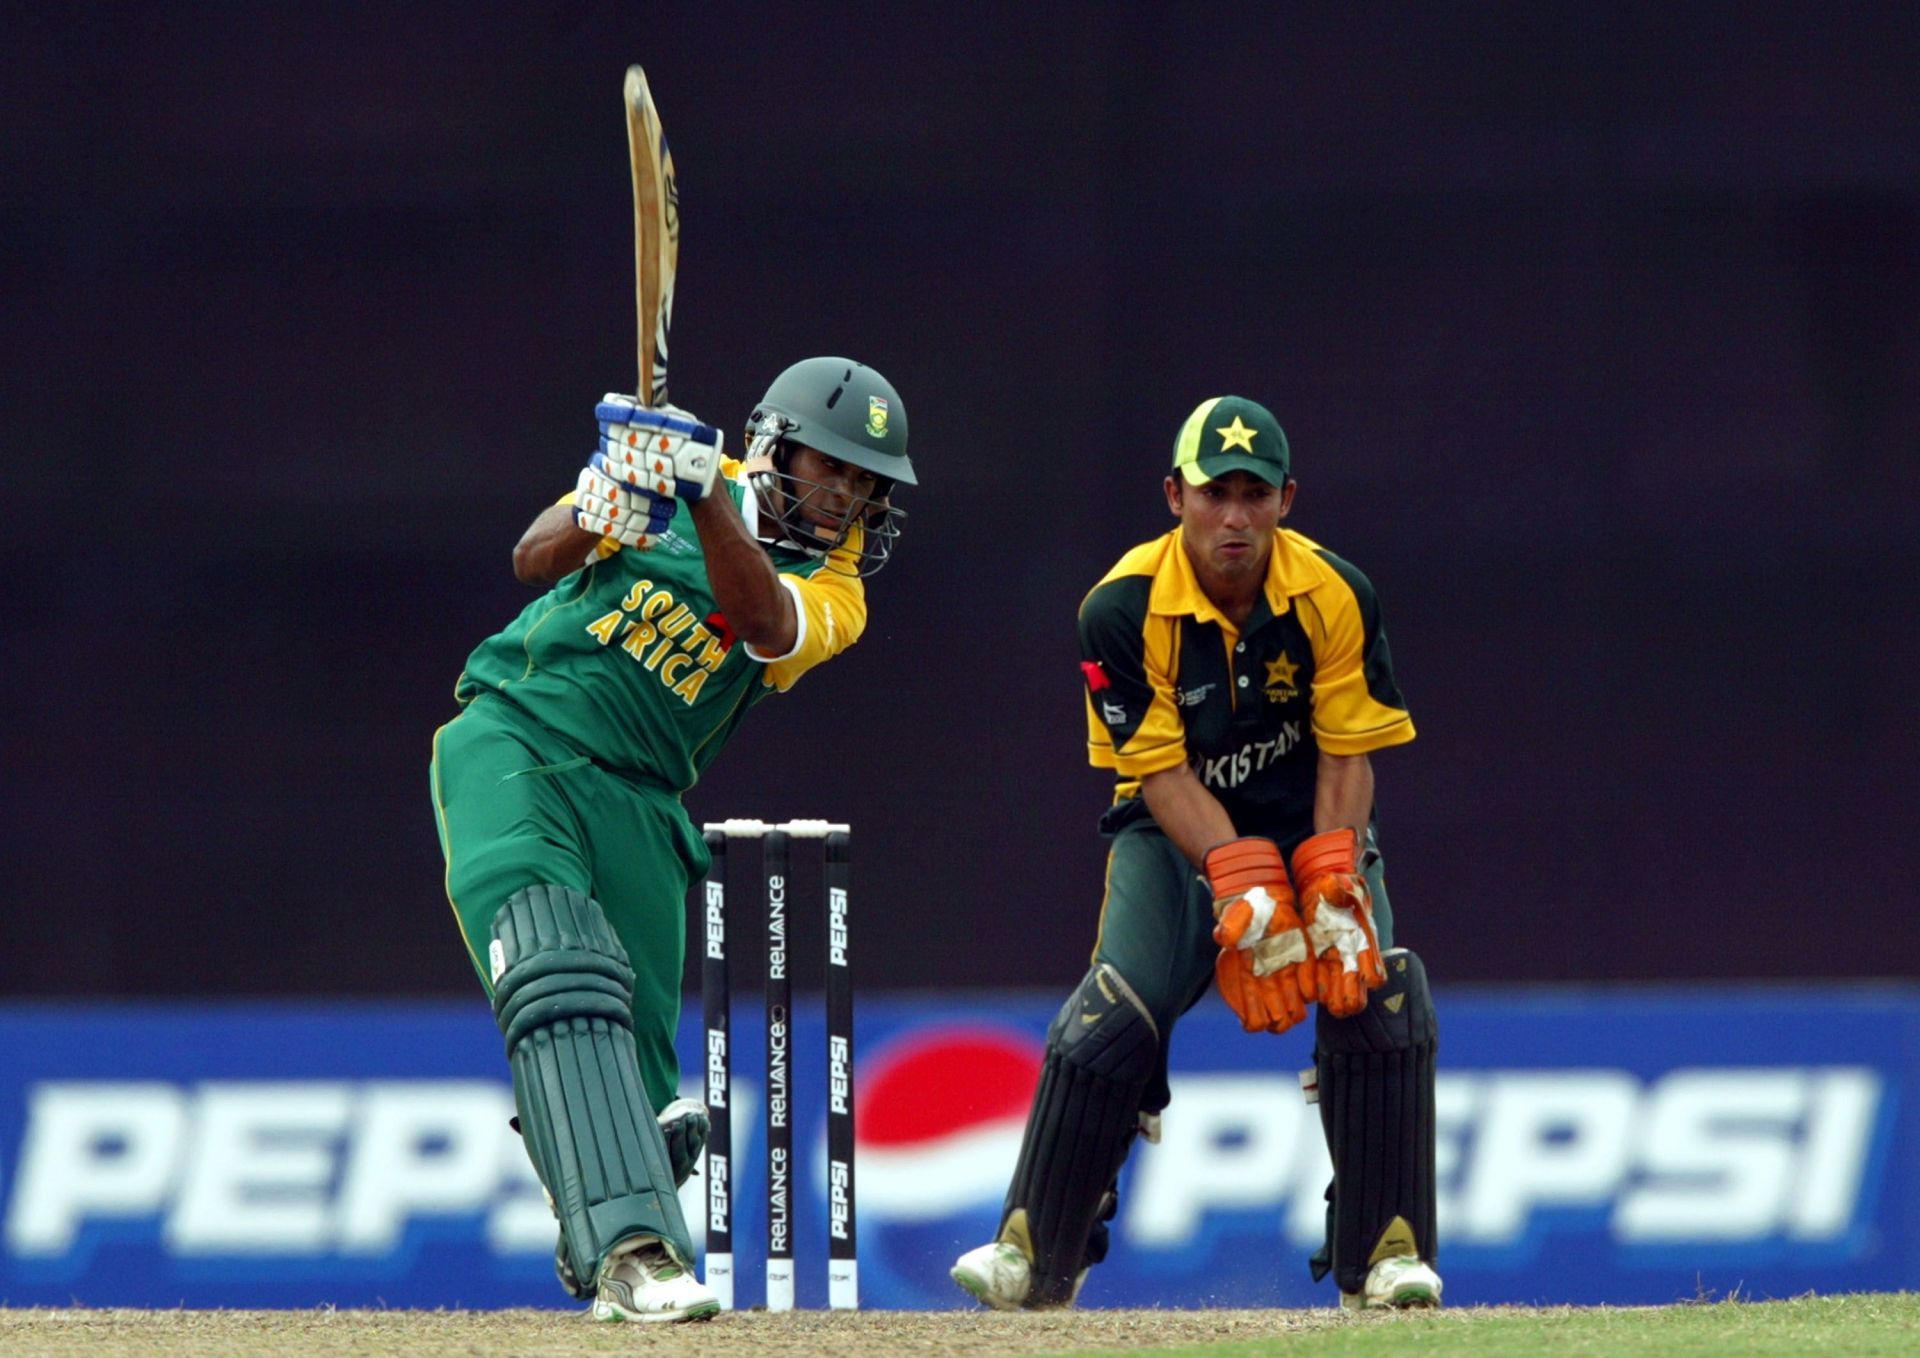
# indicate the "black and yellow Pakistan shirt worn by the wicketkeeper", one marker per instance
pixel 1170 681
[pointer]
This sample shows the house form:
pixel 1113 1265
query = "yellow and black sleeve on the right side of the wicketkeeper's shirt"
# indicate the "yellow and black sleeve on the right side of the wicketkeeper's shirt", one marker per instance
pixel 1356 704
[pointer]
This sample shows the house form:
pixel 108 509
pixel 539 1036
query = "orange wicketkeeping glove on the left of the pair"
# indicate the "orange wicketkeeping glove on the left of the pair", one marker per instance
pixel 1264 969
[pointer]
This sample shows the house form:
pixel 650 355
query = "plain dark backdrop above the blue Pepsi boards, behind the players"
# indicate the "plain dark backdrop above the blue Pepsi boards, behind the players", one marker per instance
pixel 1596 331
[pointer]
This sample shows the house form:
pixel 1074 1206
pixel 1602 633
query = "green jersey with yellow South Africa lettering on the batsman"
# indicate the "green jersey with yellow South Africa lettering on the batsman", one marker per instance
pixel 631 662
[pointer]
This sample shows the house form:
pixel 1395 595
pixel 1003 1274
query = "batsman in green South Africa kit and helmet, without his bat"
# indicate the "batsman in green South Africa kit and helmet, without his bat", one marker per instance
pixel 683 591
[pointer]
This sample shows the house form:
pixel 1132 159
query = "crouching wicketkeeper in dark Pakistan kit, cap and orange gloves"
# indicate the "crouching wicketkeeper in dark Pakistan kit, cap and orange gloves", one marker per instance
pixel 1237 683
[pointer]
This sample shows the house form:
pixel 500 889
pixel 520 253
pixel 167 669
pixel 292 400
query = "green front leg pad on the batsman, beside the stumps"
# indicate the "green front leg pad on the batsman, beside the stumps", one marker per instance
pixel 564 1000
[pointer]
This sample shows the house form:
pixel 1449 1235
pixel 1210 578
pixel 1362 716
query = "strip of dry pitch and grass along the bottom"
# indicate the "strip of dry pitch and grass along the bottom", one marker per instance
pixel 1808 1328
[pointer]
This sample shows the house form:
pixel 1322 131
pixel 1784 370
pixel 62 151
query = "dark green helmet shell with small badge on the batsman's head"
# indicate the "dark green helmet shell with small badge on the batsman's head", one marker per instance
pixel 846 410
